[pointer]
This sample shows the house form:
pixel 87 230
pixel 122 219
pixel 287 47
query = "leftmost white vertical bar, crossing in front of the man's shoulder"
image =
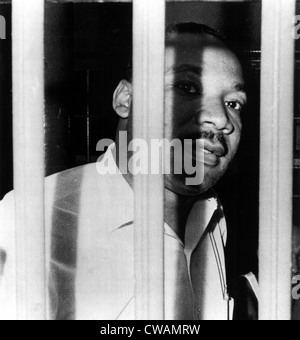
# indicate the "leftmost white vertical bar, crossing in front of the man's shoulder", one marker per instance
pixel 28 135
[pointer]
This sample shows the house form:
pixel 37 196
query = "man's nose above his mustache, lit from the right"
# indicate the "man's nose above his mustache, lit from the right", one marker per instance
pixel 215 115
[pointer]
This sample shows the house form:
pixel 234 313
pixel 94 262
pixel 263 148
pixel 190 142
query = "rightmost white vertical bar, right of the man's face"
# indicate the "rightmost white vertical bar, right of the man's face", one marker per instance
pixel 276 159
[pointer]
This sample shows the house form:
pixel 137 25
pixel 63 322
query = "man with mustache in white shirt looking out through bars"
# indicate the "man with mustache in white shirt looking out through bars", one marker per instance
pixel 90 216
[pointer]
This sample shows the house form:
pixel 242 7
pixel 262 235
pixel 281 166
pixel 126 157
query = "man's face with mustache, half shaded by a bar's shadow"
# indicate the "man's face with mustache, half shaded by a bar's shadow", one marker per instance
pixel 204 100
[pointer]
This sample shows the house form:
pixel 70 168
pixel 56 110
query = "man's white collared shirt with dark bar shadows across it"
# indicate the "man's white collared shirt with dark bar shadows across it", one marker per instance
pixel 89 224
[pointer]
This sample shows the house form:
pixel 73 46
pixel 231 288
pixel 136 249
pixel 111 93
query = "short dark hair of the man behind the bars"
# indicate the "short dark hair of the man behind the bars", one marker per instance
pixel 188 28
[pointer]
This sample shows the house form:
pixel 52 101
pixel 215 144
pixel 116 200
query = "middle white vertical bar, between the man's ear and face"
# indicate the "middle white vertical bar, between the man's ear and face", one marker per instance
pixel 148 123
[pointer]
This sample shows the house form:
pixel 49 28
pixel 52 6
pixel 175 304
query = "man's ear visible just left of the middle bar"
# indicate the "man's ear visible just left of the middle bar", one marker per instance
pixel 122 99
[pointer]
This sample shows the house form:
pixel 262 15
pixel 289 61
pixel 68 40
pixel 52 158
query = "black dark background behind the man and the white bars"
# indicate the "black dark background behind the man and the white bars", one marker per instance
pixel 87 50
